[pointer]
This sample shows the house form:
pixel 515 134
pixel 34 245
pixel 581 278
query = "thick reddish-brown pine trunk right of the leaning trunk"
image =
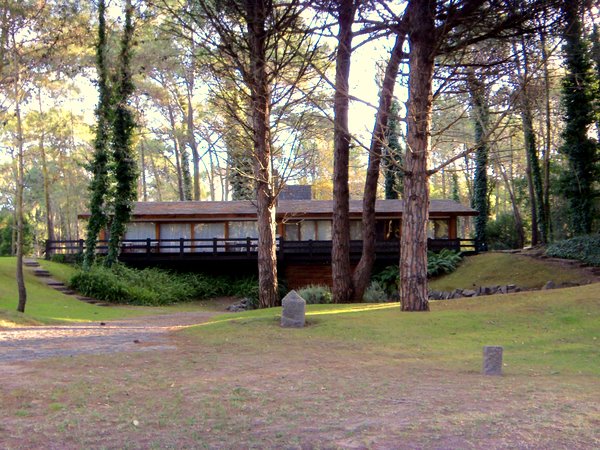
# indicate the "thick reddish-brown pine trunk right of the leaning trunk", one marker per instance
pixel 413 248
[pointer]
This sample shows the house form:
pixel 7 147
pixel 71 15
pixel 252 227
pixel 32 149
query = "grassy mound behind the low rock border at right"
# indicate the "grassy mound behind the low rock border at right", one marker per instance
pixel 490 269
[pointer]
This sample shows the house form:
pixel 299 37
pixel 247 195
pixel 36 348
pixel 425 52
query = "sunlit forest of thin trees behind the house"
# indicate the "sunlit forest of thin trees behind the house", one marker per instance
pixel 497 130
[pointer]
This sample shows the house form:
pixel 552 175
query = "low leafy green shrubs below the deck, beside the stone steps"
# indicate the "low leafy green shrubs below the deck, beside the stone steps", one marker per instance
pixel 152 286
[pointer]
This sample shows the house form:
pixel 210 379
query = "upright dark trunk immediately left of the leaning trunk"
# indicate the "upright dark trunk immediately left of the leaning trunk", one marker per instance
pixel 340 252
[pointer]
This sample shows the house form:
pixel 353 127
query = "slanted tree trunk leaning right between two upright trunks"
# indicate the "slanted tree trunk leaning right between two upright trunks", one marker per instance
pixel 362 273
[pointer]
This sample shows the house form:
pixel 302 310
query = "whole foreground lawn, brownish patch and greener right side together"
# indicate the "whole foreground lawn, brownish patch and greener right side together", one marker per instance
pixel 358 376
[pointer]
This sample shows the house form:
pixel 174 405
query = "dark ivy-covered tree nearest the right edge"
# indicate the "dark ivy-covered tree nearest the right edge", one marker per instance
pixel 577 181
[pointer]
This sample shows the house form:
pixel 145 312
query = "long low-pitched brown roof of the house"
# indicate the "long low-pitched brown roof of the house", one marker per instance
pixel 191 210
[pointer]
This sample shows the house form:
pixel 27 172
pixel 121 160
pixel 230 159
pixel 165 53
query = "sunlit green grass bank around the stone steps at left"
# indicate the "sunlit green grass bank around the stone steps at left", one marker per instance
pixel 46 305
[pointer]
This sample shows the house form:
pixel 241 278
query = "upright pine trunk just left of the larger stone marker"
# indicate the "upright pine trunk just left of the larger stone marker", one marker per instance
pixel 257 12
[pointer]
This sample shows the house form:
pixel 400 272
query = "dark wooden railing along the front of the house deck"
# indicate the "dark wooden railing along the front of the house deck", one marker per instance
pixel 239 247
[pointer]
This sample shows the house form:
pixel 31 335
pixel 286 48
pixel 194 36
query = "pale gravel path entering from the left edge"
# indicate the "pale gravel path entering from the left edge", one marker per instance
pixel 138 334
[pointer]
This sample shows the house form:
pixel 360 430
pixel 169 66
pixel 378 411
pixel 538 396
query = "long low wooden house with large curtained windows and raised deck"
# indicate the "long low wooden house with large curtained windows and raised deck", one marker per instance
pixel 222 236
